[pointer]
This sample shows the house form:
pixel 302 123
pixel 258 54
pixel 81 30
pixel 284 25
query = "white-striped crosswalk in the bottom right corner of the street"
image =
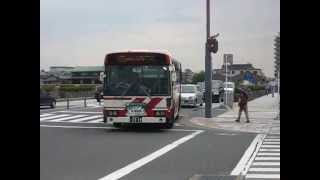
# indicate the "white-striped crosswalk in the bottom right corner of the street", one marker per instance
pixel 266 164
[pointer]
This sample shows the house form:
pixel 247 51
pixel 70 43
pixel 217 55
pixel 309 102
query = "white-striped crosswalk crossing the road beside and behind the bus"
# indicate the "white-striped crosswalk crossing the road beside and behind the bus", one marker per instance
pixel 89 117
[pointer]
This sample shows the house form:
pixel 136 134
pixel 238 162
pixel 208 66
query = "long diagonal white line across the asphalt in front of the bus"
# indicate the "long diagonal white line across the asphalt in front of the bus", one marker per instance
pixel 141 162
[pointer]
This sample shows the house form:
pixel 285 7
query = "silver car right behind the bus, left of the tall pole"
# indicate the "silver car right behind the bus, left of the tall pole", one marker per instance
pixel 191 95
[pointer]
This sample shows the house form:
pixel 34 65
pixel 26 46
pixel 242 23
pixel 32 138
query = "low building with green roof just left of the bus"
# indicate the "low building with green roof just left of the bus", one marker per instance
pixel 86 74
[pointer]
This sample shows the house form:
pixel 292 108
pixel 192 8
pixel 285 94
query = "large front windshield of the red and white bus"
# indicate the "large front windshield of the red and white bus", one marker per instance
pixel 137 80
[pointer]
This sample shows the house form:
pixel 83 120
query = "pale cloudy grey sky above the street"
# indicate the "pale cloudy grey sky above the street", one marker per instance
pixel 82 32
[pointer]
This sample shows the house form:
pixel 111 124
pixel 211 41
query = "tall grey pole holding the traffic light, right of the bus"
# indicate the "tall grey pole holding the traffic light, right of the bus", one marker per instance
pixel 208 70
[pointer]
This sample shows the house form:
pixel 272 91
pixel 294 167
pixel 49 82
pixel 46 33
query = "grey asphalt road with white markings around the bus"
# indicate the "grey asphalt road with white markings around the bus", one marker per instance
pixel 75 144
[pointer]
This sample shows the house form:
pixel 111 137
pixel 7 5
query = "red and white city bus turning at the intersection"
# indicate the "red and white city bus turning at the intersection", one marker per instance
pixel 141 87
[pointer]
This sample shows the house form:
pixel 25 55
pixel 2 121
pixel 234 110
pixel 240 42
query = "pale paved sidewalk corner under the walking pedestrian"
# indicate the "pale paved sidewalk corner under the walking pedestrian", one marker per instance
pixel 262 114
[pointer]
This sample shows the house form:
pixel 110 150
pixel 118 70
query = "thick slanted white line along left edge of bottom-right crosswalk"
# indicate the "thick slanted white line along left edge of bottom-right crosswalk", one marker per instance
pixel 245 161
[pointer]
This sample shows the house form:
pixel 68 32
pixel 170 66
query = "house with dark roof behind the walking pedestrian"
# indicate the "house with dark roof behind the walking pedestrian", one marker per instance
pixel 239 73
